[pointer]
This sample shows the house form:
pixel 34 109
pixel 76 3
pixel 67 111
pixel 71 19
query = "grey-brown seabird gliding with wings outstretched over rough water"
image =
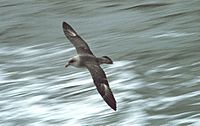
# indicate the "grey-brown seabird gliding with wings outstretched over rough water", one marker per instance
pixel 86 59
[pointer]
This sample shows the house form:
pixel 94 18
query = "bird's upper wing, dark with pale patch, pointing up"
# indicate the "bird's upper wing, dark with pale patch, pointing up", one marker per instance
pixel 80 45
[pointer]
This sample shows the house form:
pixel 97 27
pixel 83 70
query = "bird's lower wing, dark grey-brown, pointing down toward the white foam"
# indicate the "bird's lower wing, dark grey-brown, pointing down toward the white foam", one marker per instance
pixel 101 82
